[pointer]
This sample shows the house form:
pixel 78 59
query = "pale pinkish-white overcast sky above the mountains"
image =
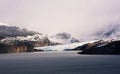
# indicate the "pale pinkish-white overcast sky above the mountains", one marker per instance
pixel 52 16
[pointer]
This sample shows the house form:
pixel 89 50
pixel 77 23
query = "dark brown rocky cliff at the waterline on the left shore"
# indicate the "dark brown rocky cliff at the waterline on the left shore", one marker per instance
pixel 16 48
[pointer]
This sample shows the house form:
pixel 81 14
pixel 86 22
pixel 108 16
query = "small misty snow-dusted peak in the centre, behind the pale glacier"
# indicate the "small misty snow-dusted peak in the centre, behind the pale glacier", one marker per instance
pixel 63 38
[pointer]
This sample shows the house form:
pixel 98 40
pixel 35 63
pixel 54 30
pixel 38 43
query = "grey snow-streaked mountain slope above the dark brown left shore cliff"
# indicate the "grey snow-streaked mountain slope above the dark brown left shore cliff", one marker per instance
pixel 13 34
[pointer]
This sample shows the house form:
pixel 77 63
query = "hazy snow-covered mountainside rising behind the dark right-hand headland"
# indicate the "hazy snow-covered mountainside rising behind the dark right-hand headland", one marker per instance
pixel 105 32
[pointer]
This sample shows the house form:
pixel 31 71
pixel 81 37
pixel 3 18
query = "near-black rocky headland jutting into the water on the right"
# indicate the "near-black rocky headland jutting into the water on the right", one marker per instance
pixel 100 47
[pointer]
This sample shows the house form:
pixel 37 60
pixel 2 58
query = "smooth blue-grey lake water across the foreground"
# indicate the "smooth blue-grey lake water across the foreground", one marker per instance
pixel 64 62
